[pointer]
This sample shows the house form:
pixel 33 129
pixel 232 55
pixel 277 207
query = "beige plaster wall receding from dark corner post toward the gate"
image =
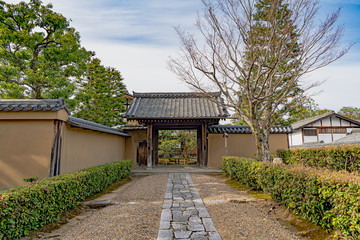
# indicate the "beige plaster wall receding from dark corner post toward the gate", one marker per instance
pixel 86 148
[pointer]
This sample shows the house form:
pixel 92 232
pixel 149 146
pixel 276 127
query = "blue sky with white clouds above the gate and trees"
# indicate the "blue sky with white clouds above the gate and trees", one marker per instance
pixel 137 38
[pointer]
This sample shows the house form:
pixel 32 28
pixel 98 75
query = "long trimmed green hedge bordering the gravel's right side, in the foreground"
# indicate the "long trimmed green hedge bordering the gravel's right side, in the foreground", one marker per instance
pixel 329 199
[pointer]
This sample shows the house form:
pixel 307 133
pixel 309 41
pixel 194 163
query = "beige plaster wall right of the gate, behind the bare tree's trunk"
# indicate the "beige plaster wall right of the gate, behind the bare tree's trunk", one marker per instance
pixel 242 145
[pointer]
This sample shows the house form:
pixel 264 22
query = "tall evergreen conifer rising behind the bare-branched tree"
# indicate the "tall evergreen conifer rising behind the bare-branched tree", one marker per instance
pixel 272 45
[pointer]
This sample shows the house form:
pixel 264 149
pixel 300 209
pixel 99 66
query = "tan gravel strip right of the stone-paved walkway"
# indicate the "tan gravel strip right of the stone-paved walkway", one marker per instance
pixel 238 221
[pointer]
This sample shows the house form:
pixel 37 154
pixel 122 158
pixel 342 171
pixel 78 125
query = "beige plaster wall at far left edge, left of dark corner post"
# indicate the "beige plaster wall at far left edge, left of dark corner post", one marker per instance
pixel 25 150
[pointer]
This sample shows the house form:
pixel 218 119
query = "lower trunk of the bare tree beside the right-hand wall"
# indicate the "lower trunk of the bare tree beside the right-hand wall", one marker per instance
pixel 262 145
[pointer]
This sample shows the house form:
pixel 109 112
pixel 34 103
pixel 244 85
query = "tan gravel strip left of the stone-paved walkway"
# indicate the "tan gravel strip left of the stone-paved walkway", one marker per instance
pixel 137 216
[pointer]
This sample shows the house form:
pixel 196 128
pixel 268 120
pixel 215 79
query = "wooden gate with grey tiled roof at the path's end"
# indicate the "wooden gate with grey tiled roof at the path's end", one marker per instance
pixel 176 110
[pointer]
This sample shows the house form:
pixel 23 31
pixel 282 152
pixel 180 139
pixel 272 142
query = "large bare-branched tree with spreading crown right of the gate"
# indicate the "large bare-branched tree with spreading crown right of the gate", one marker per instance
pixel 255 52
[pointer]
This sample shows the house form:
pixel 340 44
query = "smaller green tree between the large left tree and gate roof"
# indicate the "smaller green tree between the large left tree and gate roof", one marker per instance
pixel 101 95
